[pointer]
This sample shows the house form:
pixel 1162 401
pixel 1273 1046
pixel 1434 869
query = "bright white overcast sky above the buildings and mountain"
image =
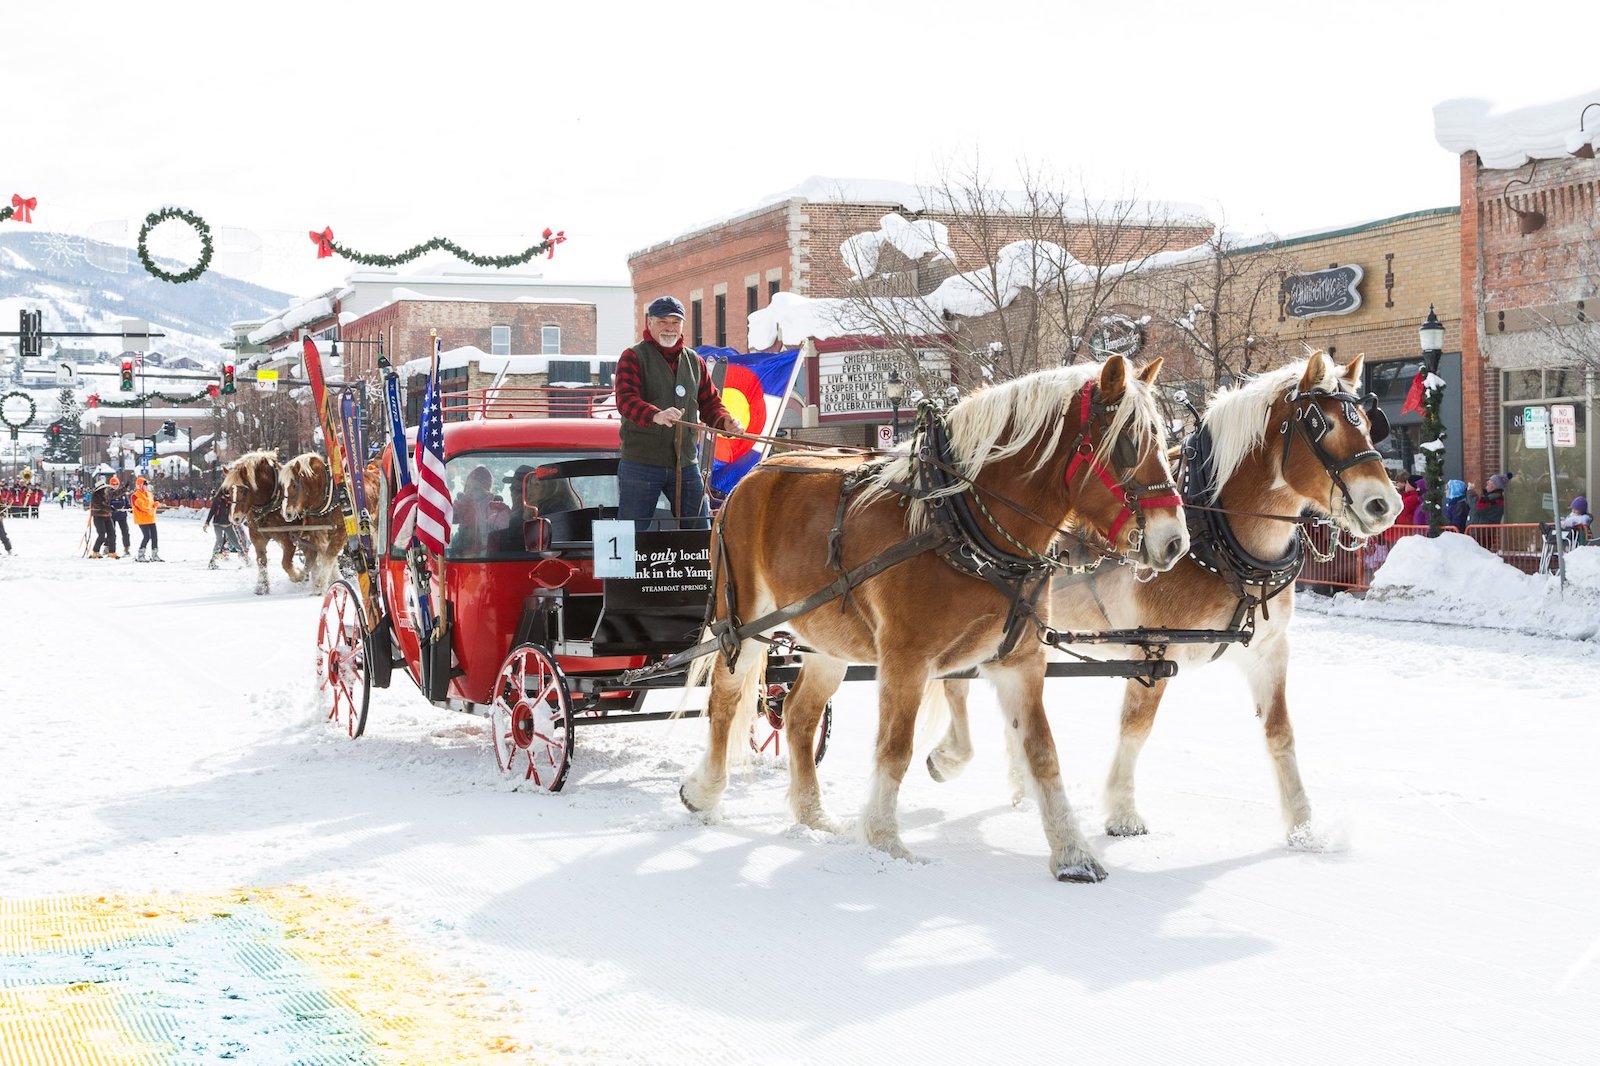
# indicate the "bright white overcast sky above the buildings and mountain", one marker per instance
pixel 628 124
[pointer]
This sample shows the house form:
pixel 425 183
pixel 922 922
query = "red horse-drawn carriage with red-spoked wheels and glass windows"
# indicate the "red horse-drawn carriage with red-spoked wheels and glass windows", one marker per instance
pixel 527 635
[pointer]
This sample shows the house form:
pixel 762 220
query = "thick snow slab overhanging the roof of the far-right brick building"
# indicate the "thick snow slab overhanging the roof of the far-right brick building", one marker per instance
pixel 1508 138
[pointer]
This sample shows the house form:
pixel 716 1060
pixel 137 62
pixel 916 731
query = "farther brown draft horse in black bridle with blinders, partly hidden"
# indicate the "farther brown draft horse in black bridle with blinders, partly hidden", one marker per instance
pixel 1287 441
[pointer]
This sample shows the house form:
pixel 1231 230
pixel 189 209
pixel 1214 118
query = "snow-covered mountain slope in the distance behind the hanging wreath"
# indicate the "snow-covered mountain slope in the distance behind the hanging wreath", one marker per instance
pixel 87 286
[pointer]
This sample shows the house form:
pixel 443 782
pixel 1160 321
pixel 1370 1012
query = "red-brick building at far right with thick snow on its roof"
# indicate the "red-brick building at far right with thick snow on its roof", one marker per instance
pixel 1529 270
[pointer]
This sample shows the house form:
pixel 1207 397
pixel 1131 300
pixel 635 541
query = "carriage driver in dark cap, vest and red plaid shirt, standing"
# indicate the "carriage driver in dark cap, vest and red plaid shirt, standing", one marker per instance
pixel 665 395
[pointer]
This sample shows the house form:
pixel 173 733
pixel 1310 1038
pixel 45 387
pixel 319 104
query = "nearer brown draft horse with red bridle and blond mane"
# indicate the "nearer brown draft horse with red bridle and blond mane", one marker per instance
pixel 1082 444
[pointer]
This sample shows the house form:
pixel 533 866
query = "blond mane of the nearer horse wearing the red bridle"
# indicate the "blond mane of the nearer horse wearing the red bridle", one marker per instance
pixel 1034 409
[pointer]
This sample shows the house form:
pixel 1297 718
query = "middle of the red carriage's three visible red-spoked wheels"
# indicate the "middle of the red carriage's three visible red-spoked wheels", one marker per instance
pixel 532 719
